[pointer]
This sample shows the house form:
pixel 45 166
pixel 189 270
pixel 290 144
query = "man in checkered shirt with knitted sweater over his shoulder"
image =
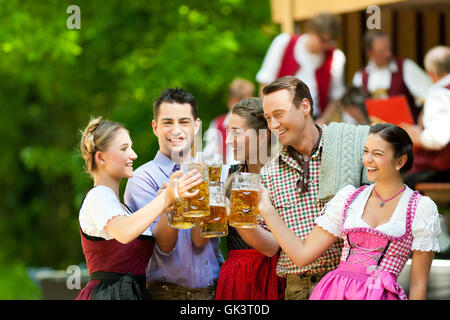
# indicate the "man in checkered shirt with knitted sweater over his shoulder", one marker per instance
pixel 292 178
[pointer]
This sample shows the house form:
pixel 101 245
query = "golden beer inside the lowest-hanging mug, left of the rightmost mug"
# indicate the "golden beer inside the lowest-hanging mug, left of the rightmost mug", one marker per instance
pixel 216 224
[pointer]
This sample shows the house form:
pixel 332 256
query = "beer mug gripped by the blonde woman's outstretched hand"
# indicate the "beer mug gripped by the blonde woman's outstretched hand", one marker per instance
pixel 197 206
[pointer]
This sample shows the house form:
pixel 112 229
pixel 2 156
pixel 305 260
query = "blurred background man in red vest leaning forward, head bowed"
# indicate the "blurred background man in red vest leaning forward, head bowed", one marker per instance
pixel 313 58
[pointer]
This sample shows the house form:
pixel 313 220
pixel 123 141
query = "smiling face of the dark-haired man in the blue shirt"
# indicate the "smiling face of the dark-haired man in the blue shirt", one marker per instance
pixel 175 129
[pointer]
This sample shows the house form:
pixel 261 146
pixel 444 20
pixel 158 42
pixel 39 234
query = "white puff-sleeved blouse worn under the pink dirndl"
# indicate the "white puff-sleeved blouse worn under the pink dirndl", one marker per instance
pixel 425 226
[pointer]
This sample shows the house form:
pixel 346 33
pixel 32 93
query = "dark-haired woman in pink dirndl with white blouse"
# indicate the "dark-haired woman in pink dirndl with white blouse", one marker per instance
pixel 381 225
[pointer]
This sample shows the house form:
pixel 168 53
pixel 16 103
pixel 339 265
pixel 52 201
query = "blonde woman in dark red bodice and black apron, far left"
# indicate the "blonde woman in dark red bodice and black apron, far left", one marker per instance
pixel 111 235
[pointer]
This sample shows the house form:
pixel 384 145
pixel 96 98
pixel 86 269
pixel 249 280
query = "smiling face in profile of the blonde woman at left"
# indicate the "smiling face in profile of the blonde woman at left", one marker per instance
pixel 118 159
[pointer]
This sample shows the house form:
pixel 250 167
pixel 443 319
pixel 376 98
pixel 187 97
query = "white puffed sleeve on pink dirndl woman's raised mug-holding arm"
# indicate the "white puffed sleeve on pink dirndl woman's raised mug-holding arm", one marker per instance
pixel 332 213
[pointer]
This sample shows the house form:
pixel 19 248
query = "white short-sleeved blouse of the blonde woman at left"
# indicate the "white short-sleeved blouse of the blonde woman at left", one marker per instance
pixel 99 206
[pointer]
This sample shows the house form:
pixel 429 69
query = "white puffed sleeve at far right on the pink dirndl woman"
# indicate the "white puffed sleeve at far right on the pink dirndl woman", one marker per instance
pixel 426 226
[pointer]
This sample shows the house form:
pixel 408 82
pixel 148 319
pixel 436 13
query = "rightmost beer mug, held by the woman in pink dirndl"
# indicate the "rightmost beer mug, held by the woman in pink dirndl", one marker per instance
pixel 244 200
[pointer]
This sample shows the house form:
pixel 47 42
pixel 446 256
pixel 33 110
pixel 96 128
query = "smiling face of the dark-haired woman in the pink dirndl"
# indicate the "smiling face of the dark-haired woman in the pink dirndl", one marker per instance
pixel 379 159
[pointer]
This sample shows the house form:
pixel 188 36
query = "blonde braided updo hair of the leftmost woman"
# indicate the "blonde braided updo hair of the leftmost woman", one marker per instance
pixel 96 137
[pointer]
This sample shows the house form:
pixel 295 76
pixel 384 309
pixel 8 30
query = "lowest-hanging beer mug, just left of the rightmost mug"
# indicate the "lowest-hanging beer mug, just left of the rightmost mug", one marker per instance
pixel 216 224
